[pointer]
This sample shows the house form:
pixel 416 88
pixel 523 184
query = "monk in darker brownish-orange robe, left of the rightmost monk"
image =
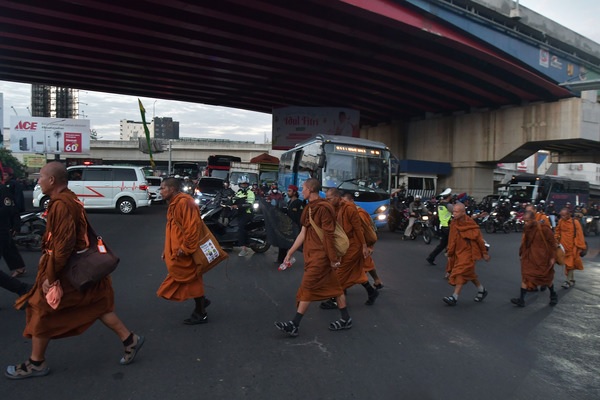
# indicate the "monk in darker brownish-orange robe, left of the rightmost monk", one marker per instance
pixel 537 252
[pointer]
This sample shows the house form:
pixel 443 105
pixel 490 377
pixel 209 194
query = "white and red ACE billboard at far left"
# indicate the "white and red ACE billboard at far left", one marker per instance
pixel 49 135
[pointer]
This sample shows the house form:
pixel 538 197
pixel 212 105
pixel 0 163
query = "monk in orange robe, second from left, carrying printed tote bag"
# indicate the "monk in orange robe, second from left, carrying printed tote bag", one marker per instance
pixel 182 239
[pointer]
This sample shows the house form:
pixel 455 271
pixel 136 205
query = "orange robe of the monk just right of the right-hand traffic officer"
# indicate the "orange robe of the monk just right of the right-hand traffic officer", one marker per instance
pixel 465 247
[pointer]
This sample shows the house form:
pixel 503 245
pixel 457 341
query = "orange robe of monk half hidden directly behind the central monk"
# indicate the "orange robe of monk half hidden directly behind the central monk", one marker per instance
pixel 351 270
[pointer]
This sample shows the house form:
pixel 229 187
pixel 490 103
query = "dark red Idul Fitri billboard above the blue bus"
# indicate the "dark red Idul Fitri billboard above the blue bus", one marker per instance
pixel 292 125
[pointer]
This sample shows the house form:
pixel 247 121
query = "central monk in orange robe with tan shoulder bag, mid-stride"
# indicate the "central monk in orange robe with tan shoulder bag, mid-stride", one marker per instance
pixel 320 280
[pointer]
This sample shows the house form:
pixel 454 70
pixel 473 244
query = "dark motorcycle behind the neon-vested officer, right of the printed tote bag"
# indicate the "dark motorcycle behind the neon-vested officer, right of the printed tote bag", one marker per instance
pixel 227 234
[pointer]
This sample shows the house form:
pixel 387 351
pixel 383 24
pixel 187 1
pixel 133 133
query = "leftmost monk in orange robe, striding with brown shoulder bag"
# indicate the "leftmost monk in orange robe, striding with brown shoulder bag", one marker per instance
pixel 66 233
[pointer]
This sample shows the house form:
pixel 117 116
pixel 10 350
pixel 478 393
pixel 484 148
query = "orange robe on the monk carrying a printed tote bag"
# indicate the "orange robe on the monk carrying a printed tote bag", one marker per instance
pixel 183 282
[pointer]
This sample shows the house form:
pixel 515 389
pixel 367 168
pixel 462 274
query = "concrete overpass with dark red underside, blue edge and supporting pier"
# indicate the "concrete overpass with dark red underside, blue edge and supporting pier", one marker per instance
pixel 471 82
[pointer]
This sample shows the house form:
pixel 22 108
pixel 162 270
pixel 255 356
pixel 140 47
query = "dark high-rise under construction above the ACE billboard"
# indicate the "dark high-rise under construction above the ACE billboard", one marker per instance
pixel 54 101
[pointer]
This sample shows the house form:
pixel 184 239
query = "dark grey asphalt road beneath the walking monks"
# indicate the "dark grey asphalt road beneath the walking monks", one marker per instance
pixel 408 345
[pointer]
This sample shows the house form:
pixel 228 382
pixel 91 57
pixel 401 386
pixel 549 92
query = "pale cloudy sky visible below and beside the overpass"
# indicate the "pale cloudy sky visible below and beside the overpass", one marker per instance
pixel 198 120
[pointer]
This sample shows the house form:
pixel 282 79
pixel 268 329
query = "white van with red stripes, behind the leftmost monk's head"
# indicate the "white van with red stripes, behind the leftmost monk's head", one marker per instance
pixel 104 187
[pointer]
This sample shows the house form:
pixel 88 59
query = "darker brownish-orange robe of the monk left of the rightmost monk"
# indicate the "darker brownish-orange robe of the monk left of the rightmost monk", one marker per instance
pixel 538 247
